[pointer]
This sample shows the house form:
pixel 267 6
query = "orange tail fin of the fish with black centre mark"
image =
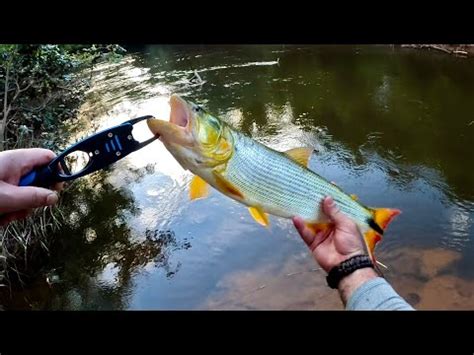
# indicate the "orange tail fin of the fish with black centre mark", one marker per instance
pixel 381 218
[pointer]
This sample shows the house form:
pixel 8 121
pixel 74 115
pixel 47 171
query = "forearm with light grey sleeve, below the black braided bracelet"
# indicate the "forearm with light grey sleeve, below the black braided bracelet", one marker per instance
pixel 365 290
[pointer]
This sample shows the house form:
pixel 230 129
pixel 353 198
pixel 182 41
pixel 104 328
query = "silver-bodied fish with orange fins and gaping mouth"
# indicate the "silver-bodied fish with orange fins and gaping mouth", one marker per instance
pixel 267 181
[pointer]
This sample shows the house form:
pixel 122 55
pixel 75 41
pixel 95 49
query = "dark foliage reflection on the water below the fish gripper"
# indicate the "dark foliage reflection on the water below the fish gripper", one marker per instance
pixel 95 254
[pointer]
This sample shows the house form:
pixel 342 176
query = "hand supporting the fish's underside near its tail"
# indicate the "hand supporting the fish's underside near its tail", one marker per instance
pixel 338 243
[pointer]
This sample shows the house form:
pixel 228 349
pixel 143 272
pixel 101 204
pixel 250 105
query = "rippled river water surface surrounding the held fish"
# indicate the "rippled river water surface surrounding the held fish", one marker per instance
pixel 393 126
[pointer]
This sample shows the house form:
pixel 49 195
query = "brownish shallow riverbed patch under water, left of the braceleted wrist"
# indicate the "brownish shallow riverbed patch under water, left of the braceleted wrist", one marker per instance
pixel 296 285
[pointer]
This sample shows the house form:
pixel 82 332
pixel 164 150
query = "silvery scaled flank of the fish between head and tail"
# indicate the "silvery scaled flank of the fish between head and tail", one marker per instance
pixel 281 186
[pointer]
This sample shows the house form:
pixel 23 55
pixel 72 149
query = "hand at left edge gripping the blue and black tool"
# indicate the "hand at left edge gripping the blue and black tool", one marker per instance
pixel 17 202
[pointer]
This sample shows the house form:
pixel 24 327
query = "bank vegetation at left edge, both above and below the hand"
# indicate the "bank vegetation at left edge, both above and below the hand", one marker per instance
pixel 41 86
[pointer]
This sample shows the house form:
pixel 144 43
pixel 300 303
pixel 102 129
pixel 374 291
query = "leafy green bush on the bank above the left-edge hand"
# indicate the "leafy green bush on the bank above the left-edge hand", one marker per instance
pixel 42 85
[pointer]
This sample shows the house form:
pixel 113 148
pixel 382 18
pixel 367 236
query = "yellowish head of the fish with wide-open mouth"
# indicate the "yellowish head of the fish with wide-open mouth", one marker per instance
pixel 193 136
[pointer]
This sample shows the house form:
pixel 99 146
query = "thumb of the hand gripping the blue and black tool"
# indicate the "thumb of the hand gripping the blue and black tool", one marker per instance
pixel 15 198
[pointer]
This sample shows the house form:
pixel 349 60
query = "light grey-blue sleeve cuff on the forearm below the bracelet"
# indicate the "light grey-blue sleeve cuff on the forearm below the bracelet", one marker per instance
pixel 377 294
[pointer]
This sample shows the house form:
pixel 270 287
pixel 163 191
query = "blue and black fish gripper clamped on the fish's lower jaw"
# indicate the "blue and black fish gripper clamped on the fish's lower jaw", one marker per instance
pixel 103 148
